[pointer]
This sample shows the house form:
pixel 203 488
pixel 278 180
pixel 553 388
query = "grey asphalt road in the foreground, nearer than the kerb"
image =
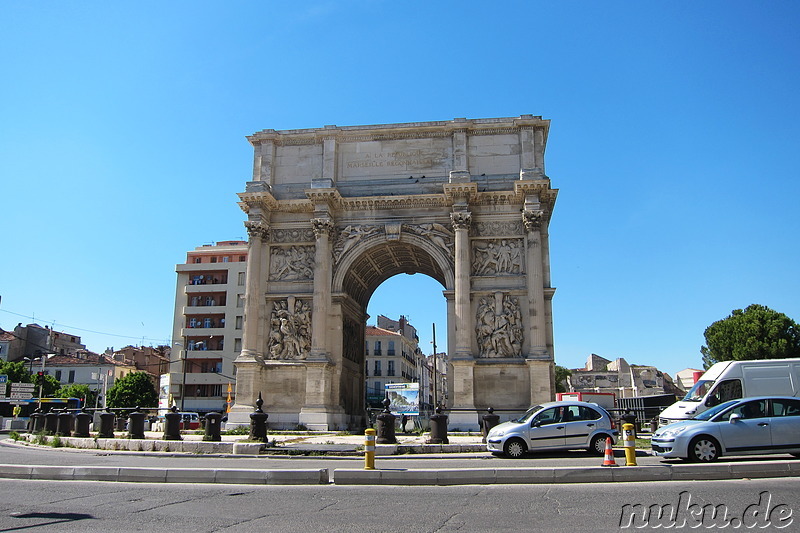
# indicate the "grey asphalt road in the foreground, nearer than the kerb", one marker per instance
pixel 70 506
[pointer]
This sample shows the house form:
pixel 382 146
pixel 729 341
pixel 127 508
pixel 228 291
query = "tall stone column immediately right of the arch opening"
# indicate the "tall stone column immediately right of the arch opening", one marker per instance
pixel 461 221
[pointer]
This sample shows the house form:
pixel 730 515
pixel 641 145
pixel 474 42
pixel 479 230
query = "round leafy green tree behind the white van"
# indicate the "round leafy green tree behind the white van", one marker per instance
pixel 756 332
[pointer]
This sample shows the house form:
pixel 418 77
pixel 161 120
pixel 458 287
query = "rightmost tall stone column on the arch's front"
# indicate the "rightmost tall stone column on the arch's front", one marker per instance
pixel 537 333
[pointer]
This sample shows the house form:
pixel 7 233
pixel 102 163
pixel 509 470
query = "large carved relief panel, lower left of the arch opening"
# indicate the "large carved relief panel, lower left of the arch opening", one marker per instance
pixel 290 330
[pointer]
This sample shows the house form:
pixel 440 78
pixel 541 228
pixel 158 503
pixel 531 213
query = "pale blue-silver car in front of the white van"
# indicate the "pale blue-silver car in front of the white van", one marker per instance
pixel 761 425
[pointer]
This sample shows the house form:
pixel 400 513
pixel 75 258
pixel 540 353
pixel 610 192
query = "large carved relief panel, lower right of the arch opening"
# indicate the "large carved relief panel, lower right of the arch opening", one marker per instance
pixel 498 327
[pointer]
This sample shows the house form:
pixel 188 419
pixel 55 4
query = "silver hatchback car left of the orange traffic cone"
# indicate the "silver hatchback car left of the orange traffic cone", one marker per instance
pixel 562 425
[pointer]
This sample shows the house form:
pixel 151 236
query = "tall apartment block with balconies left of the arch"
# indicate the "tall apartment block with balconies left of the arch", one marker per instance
pixel 207 329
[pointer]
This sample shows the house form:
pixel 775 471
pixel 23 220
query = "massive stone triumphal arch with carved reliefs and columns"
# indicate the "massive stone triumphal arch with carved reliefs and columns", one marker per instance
pixel 333 212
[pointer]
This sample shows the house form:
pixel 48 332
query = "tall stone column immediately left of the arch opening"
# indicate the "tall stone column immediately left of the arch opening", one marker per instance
pixel 322 288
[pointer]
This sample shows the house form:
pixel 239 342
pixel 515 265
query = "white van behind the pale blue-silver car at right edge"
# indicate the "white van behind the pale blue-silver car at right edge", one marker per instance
pixel 729 380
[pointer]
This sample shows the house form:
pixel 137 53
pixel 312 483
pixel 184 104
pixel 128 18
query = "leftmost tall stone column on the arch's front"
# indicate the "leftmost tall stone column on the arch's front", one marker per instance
pixel 258 231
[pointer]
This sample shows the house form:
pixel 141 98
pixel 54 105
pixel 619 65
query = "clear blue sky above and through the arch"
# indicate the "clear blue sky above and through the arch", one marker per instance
pixel 674 144
